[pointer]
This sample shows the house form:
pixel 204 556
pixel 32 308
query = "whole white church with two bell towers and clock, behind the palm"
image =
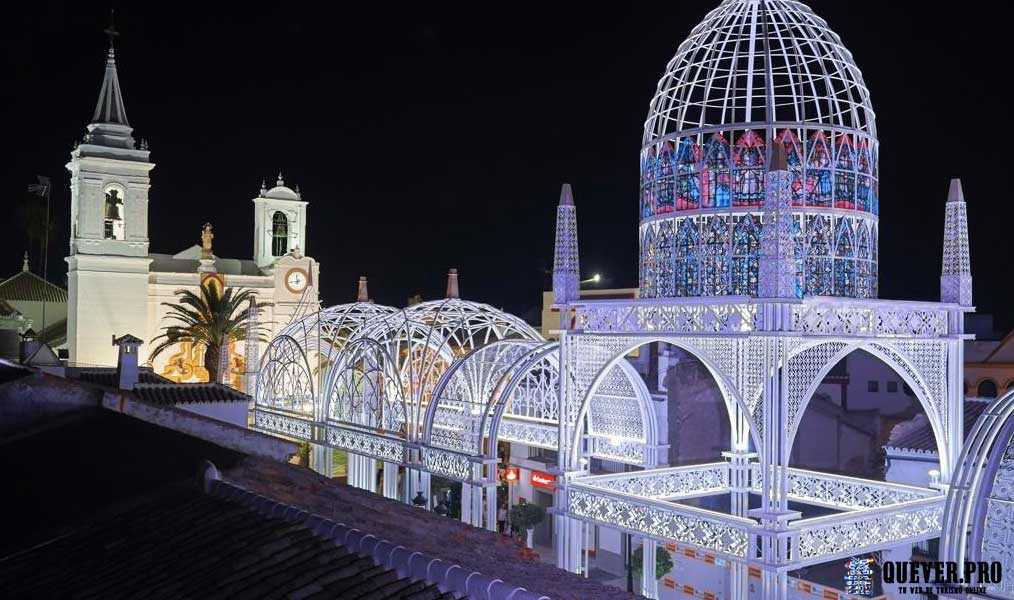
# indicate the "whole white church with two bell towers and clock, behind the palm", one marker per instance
pixel 117 286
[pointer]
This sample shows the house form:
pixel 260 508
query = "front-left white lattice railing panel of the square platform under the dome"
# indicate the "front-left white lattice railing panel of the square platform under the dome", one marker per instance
pixel 720 534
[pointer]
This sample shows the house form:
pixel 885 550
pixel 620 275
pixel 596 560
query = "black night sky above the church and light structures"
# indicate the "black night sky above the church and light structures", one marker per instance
pixel 438 138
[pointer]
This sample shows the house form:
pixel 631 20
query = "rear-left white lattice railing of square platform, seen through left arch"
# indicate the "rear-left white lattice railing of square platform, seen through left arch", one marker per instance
pixel 667 484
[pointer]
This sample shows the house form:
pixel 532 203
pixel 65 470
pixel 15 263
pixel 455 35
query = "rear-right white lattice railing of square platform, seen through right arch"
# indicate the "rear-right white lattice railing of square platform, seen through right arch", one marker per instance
pixel 844 493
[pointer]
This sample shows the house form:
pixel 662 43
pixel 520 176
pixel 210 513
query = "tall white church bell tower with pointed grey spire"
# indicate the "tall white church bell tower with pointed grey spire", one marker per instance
pixel 108 266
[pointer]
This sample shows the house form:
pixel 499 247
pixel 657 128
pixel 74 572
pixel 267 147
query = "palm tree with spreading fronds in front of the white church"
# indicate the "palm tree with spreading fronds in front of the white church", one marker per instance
pixel 212 319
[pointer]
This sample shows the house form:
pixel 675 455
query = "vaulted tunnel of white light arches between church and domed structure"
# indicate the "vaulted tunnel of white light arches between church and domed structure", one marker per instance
pixel 434 387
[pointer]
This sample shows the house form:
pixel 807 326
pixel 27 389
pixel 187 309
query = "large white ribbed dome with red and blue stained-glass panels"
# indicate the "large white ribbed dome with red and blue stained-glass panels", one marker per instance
pixel 751 73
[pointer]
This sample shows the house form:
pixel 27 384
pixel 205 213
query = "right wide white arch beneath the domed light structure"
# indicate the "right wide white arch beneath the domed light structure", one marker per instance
pixel 898 363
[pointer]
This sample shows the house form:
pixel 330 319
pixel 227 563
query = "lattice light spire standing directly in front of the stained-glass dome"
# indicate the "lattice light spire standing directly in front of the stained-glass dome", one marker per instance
pixel 777 263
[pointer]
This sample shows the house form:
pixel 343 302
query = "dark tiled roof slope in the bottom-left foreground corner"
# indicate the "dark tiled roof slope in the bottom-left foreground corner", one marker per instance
pixel 183 544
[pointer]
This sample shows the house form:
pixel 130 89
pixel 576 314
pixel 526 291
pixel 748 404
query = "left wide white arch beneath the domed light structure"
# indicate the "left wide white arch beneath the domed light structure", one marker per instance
pixel 729 391
